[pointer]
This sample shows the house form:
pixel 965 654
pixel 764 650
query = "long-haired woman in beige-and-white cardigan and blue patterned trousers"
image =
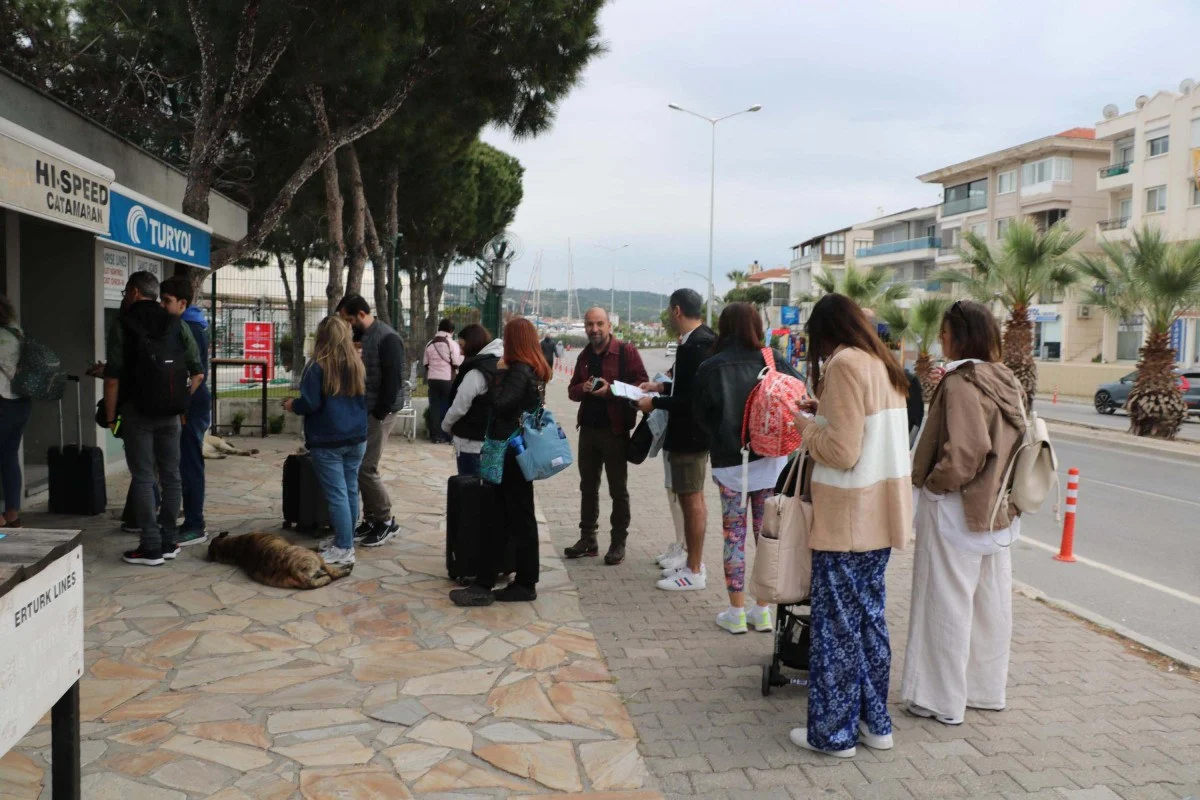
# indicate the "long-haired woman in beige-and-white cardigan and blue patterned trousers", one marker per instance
pixel 862 503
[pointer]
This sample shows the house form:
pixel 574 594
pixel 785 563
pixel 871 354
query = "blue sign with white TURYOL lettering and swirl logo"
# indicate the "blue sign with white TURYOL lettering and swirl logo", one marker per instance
pixel 146 227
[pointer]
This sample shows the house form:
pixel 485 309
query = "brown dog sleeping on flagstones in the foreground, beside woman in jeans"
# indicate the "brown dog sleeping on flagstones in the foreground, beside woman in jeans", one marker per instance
pixel 275 562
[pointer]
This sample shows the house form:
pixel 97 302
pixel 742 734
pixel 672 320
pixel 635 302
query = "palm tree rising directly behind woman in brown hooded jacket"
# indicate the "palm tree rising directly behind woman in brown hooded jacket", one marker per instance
pixel 1027 263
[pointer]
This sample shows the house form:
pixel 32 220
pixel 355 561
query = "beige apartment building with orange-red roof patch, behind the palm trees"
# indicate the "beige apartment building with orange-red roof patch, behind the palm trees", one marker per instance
pixel 1049 179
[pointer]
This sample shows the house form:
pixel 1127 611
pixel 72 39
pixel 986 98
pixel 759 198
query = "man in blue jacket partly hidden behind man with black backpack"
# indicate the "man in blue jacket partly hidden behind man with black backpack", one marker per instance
pixel 177 299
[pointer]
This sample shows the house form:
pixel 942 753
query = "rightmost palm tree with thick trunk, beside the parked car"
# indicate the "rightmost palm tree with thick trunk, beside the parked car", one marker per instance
pixel 1161 281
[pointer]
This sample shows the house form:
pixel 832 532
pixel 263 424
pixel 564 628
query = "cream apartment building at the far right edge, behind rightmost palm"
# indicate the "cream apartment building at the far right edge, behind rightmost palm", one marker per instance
pixel 1153 177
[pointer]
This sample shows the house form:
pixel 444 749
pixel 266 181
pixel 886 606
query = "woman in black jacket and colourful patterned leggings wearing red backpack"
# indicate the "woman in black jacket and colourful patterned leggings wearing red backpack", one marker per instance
pixel 723 386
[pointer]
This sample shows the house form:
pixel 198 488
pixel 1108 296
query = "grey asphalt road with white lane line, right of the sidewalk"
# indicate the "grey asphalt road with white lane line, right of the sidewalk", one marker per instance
pixel 1137 532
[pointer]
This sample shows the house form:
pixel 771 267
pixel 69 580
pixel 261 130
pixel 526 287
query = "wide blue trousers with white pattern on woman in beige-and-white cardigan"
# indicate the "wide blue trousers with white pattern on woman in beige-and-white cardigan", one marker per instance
pixel 851 659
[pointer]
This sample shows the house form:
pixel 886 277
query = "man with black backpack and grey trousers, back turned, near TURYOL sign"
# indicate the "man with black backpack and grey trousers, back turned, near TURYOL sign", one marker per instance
pixel 152 438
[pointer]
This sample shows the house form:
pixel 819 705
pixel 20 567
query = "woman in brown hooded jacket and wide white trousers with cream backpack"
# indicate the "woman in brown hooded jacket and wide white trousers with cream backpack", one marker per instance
pixel 962 617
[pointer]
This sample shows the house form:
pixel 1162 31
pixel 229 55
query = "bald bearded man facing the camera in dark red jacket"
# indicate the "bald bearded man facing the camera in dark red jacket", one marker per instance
pixel 604 423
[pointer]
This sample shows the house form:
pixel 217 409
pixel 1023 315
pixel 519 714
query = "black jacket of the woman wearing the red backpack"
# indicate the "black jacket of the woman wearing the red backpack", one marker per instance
pixel 723 386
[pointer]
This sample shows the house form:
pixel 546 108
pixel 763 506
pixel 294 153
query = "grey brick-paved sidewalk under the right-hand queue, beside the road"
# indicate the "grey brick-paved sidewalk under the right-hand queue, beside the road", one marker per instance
pixel 1088 719
